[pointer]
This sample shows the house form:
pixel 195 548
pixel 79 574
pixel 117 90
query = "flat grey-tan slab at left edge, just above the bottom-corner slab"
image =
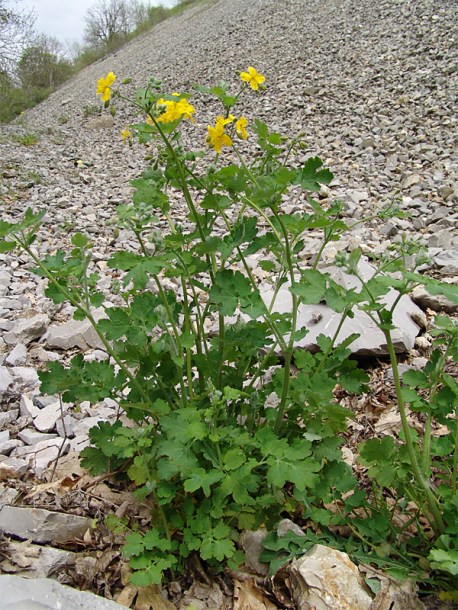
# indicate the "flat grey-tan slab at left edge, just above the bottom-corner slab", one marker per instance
pixel 40 525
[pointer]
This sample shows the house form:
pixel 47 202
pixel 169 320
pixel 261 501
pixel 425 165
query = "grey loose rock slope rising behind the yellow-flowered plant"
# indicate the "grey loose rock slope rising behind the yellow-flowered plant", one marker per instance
pixel 372 85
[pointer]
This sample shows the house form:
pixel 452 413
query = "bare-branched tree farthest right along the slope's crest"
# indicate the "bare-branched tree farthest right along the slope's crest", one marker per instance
pixel 107 22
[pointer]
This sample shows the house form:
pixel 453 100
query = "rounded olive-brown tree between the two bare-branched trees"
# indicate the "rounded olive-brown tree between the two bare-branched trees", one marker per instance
pixel 42 64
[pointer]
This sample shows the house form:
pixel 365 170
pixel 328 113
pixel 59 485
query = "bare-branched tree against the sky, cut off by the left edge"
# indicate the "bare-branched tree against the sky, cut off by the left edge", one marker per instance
pixel 16 28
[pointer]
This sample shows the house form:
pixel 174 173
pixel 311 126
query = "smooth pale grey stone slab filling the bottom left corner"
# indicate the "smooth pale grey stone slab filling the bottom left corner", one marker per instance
pixel 46 594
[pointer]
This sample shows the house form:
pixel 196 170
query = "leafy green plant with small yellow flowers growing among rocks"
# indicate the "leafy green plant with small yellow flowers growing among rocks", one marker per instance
pixel 235 426
